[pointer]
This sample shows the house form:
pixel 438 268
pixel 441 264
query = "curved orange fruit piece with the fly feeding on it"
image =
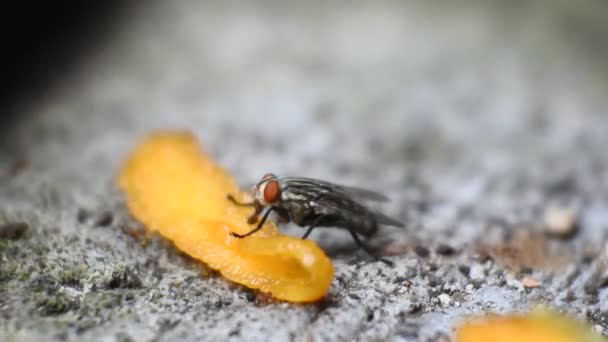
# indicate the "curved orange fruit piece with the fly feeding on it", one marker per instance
pixel 177 190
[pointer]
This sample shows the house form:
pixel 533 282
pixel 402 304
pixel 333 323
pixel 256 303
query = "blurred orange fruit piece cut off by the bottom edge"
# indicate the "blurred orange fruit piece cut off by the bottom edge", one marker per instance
pixel 540 325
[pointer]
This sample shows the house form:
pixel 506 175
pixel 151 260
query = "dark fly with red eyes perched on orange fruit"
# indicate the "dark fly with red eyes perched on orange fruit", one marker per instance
pixel 314 203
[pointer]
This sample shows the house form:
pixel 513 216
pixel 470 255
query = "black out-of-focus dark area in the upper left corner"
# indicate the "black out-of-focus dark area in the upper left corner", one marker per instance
pixel 46 42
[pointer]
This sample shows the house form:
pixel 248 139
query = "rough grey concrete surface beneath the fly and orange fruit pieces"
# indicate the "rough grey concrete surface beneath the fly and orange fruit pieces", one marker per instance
pixel 475 118
